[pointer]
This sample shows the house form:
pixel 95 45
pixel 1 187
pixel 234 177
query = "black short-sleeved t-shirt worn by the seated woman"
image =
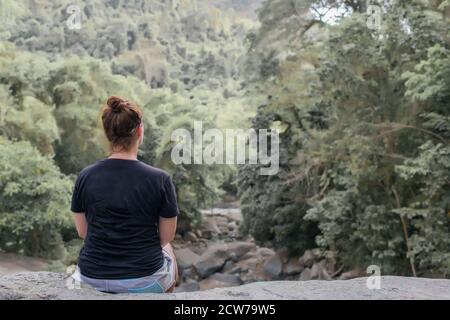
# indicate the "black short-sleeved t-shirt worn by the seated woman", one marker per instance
pixel 122 201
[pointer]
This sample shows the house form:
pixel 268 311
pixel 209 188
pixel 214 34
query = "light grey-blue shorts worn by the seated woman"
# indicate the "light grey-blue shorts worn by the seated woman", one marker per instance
pixel 159 282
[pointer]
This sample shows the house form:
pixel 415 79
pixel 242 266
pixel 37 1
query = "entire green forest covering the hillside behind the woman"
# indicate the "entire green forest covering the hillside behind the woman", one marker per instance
pixel 358 90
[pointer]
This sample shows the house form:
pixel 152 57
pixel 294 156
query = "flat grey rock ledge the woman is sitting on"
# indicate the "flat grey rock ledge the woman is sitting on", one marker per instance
pixel 46 285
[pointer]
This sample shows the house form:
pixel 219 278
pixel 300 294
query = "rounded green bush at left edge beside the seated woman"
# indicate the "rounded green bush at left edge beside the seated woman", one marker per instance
pixel 33 201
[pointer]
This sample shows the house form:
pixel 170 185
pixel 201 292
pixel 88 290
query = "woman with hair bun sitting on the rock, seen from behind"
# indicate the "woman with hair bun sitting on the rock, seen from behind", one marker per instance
pixel 126 212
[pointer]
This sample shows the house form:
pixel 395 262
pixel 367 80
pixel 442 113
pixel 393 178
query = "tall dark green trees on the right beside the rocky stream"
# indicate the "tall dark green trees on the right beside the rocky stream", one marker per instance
pixel 364 152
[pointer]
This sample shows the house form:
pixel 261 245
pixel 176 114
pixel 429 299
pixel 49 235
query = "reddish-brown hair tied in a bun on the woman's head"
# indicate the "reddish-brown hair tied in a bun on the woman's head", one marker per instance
pixel 121 119
